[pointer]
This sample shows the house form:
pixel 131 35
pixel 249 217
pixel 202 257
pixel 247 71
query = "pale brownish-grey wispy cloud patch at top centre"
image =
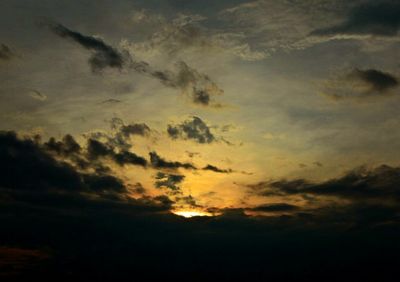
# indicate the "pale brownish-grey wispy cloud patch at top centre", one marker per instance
pixel 192 33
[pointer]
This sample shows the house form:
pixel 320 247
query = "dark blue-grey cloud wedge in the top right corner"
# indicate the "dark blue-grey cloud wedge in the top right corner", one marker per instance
pixel 372 18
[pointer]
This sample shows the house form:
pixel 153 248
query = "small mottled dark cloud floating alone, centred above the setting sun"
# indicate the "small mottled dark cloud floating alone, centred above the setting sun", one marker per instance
pixel 194 129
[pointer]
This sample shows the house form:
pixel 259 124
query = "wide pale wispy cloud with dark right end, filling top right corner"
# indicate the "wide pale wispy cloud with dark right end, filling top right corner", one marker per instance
pixel 262 23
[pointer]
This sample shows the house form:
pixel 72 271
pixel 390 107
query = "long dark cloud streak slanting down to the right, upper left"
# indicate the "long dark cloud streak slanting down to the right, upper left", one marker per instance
pixel 103 55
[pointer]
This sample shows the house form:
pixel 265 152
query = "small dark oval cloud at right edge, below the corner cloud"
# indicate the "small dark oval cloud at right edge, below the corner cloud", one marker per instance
pixel 377 80
